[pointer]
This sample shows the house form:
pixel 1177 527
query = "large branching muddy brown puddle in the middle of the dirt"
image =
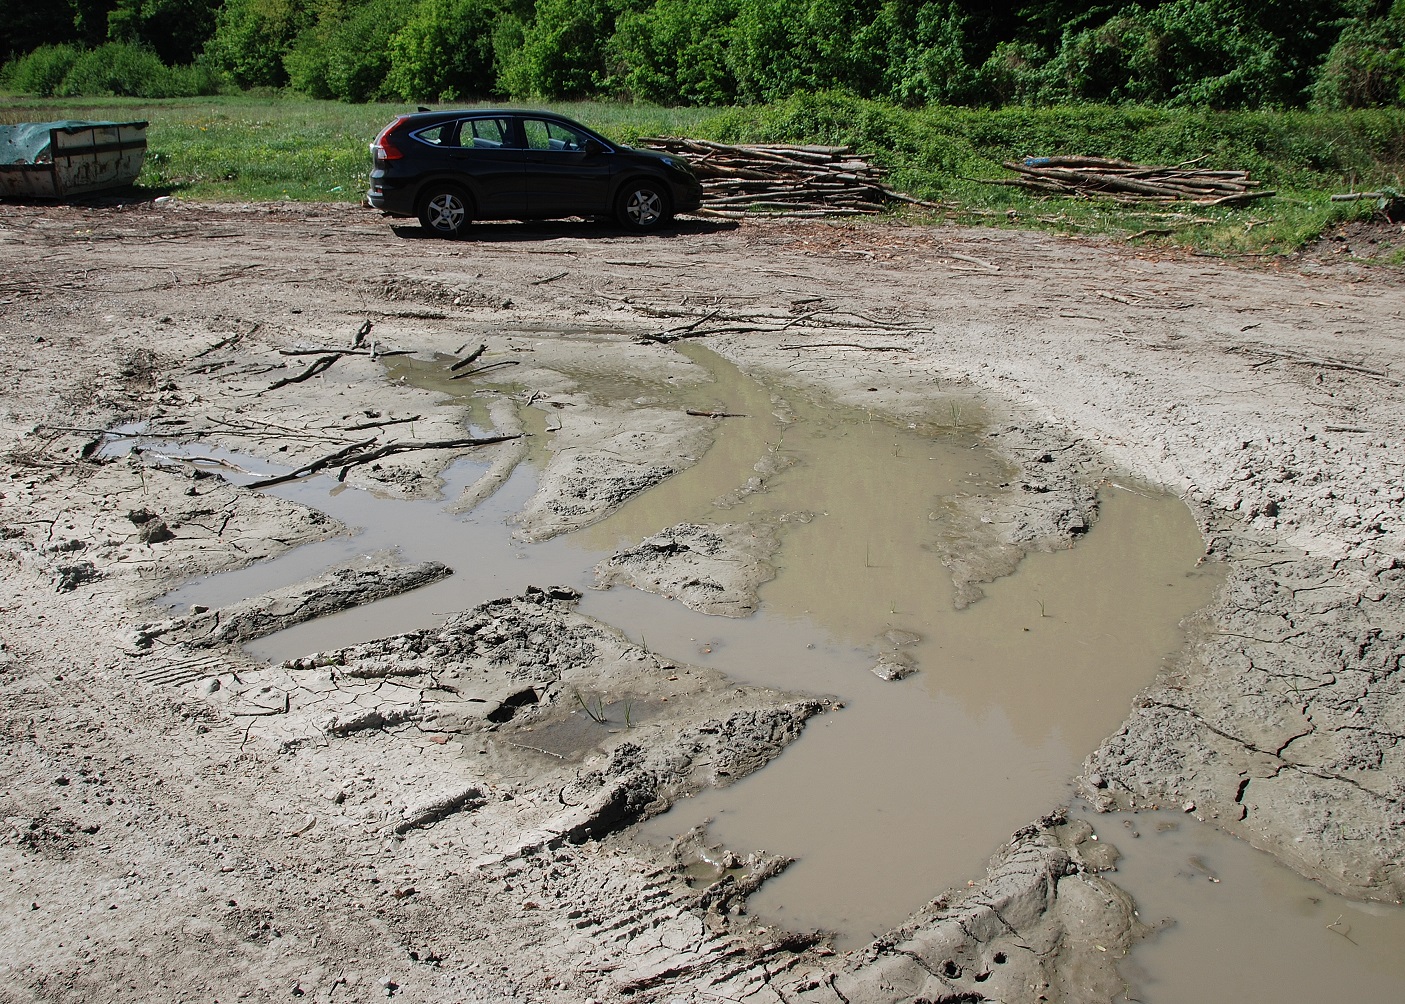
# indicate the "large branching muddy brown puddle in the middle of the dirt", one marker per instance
pixel 908 788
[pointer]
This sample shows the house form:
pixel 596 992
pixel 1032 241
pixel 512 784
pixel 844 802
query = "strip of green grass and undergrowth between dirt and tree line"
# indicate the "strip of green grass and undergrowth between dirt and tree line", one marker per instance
pixel 261 148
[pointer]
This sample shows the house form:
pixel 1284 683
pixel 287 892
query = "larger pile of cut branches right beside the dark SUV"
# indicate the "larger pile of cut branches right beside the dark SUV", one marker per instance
pixel 785 180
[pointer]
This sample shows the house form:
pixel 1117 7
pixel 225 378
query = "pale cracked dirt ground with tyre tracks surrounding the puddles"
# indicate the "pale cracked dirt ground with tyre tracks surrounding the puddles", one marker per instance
pixel 183 824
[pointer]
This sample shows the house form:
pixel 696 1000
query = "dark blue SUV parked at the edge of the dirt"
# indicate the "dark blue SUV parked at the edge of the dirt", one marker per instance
pixel 450 168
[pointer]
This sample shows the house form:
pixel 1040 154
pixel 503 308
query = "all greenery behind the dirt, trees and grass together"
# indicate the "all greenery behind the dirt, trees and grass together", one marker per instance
pixel 255 100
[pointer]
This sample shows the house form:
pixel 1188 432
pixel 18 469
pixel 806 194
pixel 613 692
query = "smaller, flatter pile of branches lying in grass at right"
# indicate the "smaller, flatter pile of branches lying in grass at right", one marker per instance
pixel 1132 183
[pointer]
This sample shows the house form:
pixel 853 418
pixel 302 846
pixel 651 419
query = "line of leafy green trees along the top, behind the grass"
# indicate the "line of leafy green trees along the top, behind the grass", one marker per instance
pixel 1217 54
